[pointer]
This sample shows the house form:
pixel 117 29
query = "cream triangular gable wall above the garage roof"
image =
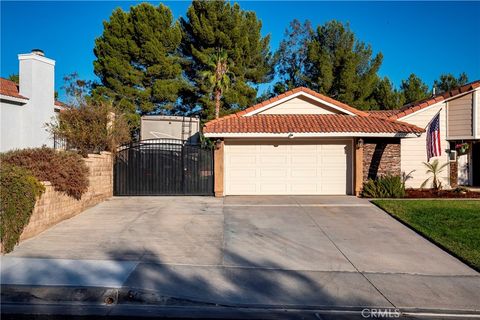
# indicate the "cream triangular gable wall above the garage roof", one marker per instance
pixel 300 105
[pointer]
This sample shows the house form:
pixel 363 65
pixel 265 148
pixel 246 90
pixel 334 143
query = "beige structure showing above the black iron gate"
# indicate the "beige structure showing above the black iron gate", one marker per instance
pixel 170 127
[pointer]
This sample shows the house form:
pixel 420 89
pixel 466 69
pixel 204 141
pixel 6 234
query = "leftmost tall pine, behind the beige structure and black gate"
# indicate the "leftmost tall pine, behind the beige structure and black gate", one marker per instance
pixel 138 61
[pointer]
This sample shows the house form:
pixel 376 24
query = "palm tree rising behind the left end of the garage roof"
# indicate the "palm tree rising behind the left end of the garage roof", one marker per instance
pixel 218 77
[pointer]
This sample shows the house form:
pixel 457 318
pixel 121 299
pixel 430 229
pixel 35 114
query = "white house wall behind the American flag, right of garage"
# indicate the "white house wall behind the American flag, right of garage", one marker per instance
pixel 414 150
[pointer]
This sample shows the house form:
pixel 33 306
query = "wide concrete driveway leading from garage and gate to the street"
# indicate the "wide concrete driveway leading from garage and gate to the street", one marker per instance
pixel 299 251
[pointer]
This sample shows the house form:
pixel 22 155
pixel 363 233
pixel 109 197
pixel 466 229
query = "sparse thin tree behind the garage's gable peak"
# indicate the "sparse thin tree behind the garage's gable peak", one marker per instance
pixel 291 56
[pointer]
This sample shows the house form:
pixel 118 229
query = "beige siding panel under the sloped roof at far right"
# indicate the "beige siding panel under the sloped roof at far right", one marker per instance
pixel 460 116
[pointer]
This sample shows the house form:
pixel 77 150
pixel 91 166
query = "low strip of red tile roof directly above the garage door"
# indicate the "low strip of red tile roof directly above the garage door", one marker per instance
pixel 308 123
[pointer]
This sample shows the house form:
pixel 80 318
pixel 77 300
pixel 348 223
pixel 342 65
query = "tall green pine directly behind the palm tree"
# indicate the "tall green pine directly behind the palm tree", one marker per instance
pixel 214 26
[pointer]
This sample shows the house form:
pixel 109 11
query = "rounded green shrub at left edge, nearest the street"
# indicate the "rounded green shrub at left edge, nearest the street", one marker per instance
pixel 19 190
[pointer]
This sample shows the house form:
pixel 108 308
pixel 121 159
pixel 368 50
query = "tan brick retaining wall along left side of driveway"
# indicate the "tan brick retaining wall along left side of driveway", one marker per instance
pixel 53 206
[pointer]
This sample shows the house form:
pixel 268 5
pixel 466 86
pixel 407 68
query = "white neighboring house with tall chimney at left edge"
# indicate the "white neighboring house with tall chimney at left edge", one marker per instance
pixel 26 107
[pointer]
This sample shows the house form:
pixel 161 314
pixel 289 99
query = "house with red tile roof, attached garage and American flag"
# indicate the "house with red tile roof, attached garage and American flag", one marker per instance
pixel 302 142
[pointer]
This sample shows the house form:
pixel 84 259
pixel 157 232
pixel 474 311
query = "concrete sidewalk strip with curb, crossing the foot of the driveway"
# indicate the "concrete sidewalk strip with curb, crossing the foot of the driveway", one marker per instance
pixel 102 282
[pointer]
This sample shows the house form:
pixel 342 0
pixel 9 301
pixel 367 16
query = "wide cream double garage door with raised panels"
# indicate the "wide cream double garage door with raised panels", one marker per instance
pixel 273 168
